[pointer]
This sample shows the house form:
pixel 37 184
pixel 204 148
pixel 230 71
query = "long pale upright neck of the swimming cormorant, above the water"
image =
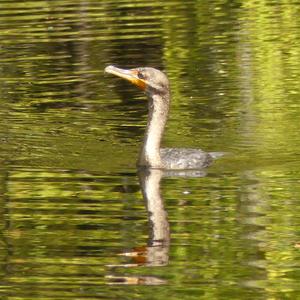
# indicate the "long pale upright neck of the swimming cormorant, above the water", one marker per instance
pixel 158 109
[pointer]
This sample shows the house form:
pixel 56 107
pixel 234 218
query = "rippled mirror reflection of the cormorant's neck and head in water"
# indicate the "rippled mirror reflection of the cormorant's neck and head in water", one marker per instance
pixel 156 252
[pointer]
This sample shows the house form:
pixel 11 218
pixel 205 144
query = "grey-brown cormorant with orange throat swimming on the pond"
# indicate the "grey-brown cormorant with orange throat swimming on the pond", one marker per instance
pixel 156 86
